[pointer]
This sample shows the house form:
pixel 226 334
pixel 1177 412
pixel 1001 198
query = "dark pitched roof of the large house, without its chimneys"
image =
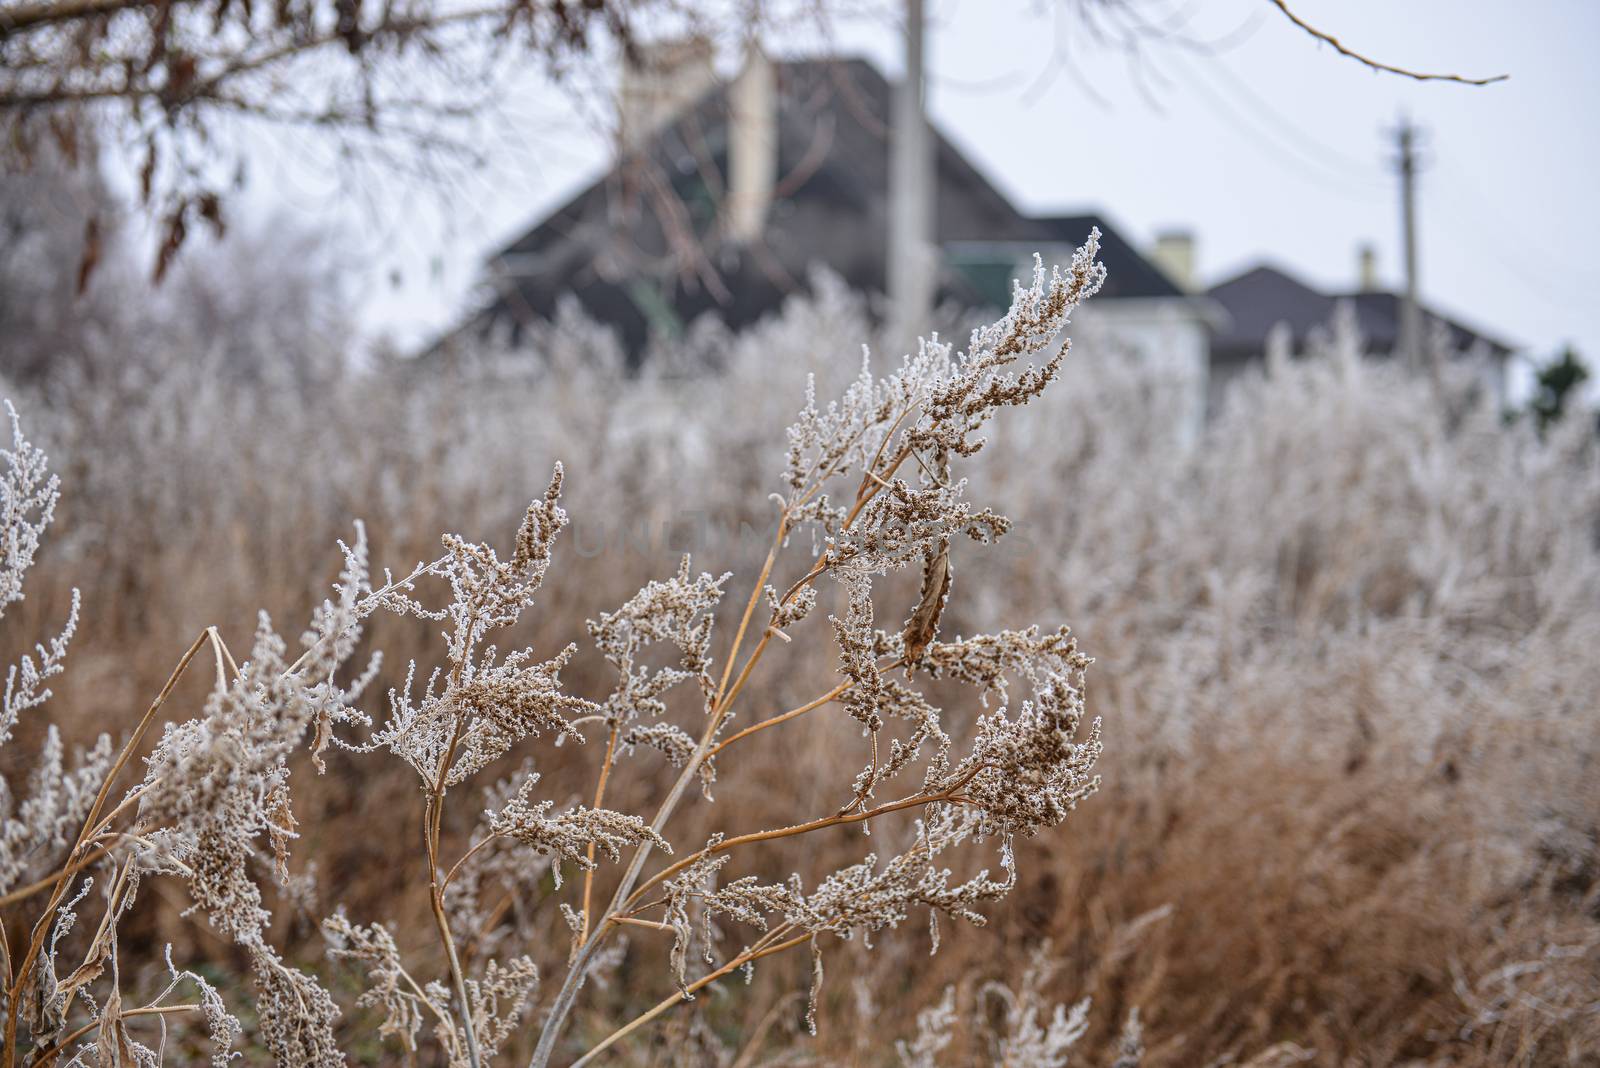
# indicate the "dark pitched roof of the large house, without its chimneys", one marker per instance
pixel 610 244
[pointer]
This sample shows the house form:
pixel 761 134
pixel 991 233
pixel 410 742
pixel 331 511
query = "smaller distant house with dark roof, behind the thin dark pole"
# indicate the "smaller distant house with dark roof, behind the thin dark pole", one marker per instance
pixel 1270 298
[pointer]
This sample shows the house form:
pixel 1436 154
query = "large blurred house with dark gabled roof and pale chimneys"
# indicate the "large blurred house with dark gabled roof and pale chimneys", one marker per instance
pixel 726 194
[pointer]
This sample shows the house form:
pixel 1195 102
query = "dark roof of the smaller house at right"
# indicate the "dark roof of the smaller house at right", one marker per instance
pixel 1265 297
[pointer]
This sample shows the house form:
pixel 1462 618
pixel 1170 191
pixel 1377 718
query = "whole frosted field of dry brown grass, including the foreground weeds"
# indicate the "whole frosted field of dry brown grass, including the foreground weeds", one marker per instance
pixel 1327 792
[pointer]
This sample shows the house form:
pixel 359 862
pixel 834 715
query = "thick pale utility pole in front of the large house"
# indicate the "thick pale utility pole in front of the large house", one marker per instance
pixel 911 252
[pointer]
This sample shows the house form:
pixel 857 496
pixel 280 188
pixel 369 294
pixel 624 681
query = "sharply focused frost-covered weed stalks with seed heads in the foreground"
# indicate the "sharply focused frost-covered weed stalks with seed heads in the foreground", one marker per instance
pixel 874 487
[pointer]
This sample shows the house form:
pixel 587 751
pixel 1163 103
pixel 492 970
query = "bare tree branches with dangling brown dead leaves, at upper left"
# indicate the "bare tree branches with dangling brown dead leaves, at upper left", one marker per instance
pixel 174 79
